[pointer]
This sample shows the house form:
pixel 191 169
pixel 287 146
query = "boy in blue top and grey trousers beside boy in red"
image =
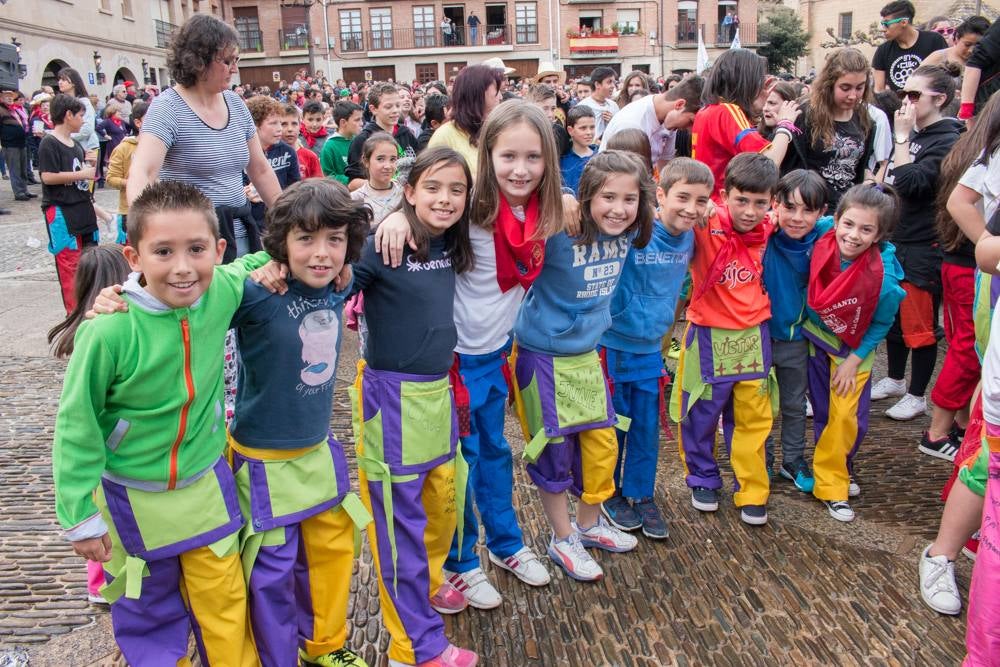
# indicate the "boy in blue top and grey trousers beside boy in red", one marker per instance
pixel 799 202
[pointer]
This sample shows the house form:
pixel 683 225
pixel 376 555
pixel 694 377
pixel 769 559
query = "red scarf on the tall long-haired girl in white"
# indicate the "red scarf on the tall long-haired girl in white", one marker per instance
pixel 519 256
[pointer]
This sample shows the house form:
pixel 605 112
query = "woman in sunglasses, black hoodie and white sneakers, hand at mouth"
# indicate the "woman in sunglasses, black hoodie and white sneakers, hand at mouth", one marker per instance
pixel 923 137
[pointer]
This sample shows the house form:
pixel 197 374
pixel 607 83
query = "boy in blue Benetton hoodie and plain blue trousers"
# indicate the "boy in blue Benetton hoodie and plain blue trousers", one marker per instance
pixel 642 310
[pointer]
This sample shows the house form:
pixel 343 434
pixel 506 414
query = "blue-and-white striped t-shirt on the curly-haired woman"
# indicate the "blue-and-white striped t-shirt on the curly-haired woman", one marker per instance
pixel 210 159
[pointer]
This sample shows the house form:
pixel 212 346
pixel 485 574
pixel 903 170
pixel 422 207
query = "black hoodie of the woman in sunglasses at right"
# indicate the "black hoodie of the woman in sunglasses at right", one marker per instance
pixel 917 182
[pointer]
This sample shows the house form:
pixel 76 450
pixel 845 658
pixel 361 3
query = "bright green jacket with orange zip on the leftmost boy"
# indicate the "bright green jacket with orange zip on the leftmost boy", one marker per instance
pixel 142 397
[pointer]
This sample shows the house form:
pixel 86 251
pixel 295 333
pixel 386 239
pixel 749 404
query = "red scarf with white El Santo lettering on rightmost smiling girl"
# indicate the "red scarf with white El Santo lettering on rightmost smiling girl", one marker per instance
pixel 845 300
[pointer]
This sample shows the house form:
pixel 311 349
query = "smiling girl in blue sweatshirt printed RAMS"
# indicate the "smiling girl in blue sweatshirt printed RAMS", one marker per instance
pixel 561 394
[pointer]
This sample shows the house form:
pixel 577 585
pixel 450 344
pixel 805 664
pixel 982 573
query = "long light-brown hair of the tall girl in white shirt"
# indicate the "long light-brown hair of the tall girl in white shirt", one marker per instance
pixel 486 203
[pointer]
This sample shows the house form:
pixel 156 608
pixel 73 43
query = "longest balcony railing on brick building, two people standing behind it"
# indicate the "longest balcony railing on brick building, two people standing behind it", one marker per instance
pixel 424 38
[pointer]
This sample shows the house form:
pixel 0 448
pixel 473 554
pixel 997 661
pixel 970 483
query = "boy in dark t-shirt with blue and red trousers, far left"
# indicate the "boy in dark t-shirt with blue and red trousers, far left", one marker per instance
pixel 67 172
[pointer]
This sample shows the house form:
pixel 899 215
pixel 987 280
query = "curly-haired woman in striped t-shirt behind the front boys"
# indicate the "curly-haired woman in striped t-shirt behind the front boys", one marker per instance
pixel 200 132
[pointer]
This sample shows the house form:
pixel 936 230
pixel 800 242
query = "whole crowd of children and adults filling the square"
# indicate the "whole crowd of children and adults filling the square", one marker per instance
pixel 491 238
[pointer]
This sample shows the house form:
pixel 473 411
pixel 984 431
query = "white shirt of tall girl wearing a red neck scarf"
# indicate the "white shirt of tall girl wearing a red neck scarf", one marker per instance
pixel 484 316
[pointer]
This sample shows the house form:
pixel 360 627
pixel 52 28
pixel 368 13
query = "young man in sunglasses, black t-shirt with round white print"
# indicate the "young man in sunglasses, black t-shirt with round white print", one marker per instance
pixel 904 48
